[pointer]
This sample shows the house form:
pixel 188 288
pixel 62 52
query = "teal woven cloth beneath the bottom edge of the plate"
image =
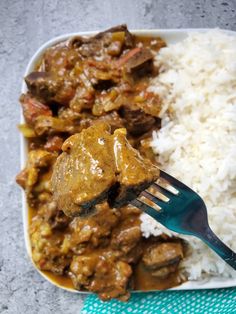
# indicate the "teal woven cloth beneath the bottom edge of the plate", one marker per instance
pixel 222 301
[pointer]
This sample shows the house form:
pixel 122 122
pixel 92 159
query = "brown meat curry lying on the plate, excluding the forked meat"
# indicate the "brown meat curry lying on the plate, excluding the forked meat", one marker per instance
pixel 101 254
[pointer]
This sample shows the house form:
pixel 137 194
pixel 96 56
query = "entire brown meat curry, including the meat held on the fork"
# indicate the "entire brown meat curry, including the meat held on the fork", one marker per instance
pixel 94 86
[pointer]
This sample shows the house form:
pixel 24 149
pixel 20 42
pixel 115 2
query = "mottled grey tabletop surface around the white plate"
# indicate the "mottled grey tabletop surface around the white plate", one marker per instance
pixel 24 26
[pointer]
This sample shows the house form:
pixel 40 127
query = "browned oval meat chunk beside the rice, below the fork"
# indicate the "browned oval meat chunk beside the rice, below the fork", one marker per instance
pixel 163 254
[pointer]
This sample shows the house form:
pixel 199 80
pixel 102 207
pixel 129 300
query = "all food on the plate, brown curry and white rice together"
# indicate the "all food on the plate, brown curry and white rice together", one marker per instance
pixel 176 104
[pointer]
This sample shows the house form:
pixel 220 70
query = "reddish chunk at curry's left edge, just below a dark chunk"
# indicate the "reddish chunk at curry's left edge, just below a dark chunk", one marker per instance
pixel 32 108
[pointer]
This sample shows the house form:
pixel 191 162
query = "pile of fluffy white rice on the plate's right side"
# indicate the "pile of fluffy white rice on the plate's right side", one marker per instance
pixel 197 141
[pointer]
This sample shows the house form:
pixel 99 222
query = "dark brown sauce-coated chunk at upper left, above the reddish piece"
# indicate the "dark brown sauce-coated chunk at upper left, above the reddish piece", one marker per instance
pixel 50 88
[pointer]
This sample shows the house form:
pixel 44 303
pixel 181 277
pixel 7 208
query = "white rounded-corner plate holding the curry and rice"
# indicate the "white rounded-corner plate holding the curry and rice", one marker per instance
pixel 170 36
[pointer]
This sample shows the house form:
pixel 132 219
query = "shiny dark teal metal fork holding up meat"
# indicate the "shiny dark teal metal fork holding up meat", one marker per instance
pixel 181 210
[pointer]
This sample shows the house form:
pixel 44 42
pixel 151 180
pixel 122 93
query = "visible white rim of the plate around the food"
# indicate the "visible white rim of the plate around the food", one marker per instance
pixel 210 283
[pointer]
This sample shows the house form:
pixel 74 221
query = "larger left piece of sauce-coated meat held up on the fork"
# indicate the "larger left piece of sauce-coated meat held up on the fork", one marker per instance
pixel 82 175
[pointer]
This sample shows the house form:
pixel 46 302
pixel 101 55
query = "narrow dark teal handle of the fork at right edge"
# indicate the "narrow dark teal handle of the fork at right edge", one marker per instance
pixel 219 247
